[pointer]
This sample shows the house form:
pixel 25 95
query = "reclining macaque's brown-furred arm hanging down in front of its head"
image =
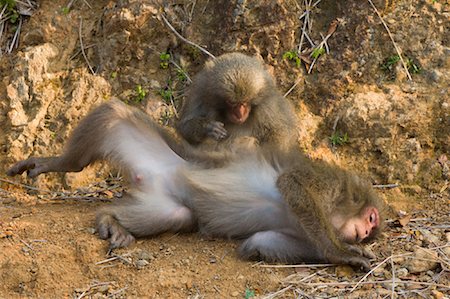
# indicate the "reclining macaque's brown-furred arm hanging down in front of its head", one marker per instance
pixel 312 220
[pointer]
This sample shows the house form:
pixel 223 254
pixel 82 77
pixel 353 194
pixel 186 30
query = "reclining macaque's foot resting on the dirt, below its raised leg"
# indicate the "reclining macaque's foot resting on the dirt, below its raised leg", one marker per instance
pixel 109 228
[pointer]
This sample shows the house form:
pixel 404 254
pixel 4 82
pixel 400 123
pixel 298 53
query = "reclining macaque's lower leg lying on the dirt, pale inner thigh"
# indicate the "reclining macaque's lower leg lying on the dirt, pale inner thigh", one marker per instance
pixel 143 216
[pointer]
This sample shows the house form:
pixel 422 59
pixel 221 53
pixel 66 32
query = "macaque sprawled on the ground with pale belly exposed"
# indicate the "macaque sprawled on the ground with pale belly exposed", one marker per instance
pixel 284 207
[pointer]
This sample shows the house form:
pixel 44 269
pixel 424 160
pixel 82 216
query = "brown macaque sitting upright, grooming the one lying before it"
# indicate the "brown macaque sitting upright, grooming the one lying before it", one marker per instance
pixel 235 96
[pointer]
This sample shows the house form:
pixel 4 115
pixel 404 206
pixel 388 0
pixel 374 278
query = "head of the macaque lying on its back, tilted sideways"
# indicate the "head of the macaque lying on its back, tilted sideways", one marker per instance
pixel 358 212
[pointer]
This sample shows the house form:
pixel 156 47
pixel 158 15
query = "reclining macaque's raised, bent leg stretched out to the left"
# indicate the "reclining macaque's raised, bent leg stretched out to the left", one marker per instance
pixel 112 130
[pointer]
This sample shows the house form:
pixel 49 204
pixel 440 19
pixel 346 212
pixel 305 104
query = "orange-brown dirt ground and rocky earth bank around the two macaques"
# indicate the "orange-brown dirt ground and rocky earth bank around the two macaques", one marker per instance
pixel 357 108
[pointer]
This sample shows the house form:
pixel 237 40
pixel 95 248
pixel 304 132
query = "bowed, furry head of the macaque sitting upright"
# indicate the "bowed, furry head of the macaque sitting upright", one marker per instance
pixel 236 83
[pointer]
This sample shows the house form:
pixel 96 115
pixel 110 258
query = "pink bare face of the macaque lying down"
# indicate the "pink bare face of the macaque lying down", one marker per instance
pixel 358 228
